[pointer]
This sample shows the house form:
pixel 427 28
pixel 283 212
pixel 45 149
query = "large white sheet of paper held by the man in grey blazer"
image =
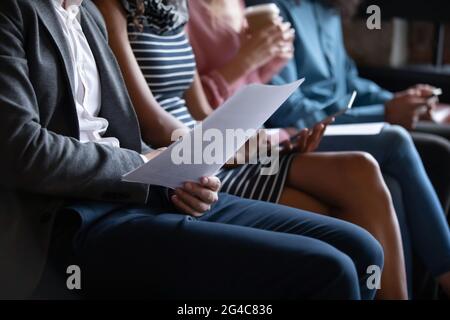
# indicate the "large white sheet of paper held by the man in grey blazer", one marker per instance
pixel 185 160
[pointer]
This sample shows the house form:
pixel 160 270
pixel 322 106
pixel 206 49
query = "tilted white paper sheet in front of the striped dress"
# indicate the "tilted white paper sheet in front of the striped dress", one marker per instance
pixel 248 109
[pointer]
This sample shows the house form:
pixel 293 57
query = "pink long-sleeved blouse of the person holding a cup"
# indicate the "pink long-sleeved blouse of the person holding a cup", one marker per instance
pixel 215 43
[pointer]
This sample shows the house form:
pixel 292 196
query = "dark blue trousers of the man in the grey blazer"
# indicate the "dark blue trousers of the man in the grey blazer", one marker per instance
pixel 240 249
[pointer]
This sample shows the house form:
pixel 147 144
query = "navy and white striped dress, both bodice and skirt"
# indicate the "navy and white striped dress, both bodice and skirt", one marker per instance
pixel 167 61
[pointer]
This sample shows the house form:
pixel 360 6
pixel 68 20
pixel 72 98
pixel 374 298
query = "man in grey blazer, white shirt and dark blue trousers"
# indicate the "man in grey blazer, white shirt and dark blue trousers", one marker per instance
pixel 62 199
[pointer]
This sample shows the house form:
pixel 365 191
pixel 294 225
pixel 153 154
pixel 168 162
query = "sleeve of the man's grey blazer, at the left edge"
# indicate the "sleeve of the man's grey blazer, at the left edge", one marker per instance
pixel 34 159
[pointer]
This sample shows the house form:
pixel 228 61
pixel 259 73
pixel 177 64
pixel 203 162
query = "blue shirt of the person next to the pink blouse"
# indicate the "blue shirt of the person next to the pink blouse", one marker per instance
pixel 320 57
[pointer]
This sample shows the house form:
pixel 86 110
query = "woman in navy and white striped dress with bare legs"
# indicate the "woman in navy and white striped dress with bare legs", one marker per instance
pixel 159 69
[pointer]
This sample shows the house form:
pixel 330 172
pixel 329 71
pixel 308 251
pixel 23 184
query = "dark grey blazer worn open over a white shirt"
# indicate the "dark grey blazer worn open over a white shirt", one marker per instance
pixel 42 162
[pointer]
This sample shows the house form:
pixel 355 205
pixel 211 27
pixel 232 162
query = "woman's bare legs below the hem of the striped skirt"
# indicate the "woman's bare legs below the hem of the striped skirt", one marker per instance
pixel 349 186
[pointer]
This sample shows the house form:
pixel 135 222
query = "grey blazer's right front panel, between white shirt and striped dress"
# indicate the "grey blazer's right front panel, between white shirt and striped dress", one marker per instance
pixel 116 104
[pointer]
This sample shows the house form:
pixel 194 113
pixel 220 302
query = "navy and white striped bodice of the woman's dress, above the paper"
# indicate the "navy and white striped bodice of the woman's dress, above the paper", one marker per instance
pixel 168 65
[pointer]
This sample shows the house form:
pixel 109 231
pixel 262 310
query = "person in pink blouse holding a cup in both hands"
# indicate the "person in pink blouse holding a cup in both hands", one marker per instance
pixel 227 62
